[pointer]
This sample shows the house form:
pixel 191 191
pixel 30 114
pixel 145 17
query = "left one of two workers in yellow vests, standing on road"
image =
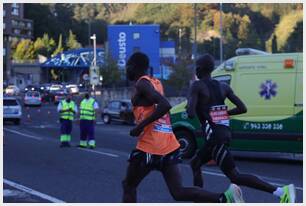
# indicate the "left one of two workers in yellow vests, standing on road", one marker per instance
pixel 67 109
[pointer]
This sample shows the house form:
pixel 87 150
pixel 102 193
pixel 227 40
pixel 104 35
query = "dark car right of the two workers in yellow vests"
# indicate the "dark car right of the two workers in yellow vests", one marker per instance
pixel 118 110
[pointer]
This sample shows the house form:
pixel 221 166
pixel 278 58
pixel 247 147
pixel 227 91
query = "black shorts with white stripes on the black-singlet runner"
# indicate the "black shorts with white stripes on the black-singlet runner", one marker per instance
pixel 216 148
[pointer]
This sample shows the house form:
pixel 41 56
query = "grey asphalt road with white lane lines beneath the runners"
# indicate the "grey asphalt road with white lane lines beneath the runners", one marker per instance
pixel 37 170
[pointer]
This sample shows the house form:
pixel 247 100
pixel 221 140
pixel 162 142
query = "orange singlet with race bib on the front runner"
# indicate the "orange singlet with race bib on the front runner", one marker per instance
pixel 157 137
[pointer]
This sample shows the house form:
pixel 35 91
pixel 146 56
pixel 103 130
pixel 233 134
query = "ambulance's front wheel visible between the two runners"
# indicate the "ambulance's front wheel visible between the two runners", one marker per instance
pixel 187 142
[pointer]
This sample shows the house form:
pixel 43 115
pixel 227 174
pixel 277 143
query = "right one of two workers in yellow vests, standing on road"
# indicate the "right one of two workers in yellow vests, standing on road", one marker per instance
pixel 88 110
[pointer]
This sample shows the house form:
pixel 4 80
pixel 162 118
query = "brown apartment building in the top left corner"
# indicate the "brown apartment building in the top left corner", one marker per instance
pixel 15 28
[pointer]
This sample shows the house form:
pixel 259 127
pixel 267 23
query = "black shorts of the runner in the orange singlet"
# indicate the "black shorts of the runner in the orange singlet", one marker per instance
pixel 154 162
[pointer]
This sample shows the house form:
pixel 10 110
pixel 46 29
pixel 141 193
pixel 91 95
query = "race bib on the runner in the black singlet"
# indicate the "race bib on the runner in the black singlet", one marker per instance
pixel 219 115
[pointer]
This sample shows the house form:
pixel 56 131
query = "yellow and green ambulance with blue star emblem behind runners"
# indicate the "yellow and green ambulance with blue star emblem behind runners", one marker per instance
pixel 271 86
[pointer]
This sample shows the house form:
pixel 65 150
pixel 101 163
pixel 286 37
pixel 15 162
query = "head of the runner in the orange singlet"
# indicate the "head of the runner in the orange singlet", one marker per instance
pixel 137 66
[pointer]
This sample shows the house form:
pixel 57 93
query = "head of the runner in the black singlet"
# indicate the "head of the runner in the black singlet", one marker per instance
pixel 204 65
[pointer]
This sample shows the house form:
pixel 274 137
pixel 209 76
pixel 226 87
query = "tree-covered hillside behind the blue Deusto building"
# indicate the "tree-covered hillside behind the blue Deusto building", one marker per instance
pixel 270 27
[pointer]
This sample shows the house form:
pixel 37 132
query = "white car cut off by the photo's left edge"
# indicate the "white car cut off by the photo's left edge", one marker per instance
pixel 11 110
